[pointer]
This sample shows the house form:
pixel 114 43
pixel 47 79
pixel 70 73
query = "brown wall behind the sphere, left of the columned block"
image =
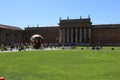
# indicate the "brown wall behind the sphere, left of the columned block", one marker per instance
pixel 50 34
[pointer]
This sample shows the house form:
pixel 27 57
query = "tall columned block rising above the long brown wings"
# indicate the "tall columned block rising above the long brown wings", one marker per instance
pixel 75 31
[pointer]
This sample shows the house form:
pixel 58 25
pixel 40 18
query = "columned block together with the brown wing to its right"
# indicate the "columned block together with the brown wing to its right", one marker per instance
pixel 81 31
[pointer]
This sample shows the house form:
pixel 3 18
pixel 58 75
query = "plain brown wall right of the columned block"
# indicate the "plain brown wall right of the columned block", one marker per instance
pixel 106 34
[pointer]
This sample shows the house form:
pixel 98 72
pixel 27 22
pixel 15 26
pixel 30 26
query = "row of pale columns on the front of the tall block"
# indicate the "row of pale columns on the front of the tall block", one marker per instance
pixel 74 35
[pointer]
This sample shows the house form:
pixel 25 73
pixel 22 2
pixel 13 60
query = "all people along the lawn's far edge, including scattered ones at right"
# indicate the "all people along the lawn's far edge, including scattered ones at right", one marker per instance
pixel 27 46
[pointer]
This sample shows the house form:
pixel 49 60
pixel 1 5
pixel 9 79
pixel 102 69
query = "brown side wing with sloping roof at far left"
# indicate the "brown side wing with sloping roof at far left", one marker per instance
pixel 11 34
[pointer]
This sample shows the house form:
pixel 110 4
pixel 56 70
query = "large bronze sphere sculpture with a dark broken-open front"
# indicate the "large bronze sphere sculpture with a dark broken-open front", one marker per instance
pixel 36 41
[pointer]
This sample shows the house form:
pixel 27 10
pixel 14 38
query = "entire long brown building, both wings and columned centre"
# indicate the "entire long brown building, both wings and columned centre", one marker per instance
pixel 70 31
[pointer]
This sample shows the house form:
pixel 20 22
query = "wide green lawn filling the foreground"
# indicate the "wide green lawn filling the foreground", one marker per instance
pixel 75 64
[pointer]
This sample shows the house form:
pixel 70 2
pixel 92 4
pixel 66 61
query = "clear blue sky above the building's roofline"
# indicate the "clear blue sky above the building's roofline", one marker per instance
pixel 22 13
